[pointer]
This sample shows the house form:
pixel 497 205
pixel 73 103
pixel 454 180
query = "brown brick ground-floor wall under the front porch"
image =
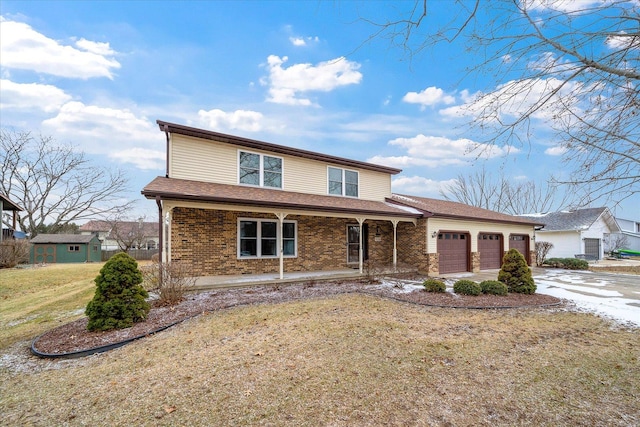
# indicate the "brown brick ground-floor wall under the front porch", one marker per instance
pixel 207 239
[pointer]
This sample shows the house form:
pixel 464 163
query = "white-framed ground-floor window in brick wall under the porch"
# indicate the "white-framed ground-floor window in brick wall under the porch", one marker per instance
pixel 259 238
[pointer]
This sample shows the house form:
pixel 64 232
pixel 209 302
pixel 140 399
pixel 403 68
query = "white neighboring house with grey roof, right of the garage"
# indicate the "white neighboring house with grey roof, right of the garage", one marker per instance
pixel 578 232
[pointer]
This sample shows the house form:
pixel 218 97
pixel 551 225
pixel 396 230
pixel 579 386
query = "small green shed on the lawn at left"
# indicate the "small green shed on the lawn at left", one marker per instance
pixel 64 248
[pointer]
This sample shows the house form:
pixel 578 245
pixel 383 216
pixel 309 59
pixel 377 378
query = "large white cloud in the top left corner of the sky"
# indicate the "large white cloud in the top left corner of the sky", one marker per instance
pixel 21 47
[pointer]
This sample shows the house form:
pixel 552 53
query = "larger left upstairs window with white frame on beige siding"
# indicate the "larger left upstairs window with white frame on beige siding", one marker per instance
pixel 259 170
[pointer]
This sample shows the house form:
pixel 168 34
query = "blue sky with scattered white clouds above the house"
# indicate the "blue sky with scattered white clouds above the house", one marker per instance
pixel 98 75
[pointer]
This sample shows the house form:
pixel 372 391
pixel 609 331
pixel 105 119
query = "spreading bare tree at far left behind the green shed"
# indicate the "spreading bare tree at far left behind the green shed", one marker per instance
pixel 55 184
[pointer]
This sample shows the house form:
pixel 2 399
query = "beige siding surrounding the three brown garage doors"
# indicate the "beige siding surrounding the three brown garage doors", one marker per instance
pixel 473 228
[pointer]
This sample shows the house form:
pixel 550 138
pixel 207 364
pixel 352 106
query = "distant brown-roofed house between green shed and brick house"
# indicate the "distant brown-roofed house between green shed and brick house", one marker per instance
pixel 137 234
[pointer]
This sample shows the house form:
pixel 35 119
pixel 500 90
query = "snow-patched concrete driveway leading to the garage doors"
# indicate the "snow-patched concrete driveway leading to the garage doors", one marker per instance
pixel 611 295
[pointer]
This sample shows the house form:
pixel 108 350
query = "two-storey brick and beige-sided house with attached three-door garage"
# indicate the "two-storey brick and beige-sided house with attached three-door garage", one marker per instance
pixel 233 205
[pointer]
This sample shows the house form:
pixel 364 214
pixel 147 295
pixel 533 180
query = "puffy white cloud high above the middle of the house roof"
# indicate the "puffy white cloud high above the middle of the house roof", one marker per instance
pixel 286 84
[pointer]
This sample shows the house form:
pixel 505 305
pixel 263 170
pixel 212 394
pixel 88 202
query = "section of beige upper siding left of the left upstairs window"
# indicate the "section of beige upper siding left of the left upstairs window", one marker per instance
pixel 201 160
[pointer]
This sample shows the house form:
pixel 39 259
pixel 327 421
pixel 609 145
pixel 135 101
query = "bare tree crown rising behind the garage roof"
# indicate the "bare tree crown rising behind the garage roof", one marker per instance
pixel 501 194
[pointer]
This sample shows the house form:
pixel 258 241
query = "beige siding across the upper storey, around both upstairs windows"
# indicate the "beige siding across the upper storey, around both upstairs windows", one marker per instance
pixel 212 161
